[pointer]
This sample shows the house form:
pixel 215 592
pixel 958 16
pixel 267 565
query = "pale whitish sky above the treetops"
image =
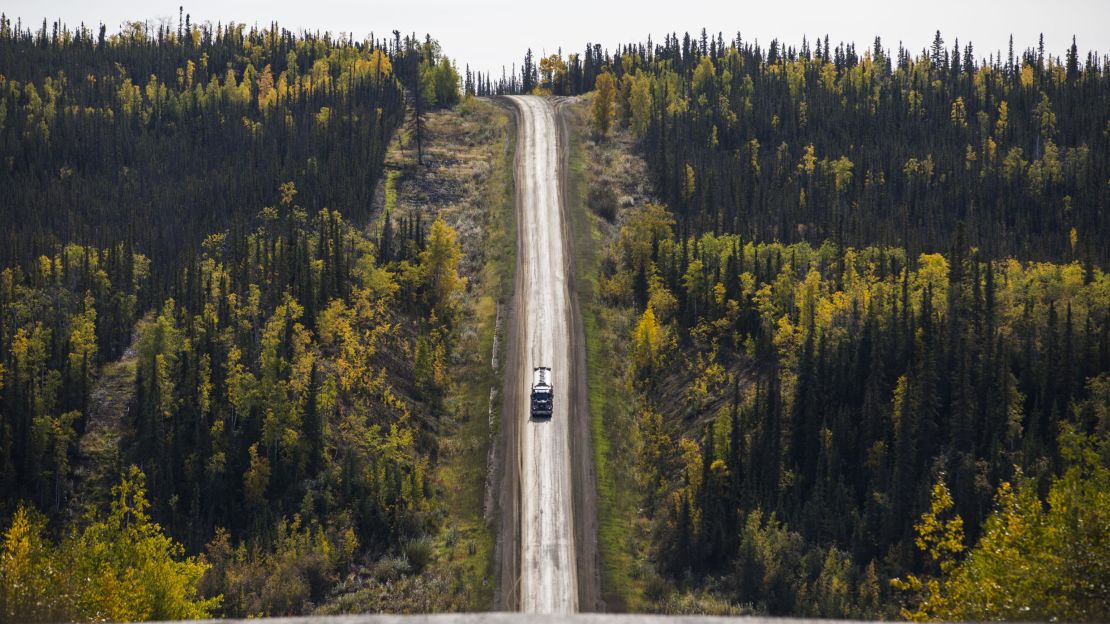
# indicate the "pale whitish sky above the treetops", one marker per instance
pixel 491 34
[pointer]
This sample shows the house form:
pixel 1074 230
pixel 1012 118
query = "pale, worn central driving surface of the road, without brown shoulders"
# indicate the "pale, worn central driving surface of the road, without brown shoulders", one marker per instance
pixel 548 568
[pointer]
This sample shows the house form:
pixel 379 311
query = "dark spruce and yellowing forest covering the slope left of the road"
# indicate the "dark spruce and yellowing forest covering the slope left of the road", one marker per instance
pixel 216 389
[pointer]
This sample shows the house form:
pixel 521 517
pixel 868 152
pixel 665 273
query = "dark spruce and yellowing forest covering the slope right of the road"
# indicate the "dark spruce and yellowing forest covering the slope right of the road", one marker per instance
pixel 863 320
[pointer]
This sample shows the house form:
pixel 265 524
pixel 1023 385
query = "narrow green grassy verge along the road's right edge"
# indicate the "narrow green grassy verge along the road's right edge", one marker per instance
pixel 611 411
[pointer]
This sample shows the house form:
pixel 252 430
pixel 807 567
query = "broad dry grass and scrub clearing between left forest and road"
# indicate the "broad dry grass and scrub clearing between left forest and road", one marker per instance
pixel 468 182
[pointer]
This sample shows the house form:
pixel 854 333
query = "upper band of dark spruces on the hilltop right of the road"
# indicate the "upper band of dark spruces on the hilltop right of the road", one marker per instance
pixel 863 147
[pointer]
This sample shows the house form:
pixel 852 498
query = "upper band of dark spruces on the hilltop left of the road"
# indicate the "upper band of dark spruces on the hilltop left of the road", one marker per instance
pixel 190 130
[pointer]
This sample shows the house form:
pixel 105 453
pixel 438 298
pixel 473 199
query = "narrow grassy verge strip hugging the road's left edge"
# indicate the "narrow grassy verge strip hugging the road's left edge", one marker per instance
pixel 466 544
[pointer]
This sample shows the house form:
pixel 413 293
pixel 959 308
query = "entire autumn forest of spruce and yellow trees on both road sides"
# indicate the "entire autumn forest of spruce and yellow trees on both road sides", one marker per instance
pixel 847 321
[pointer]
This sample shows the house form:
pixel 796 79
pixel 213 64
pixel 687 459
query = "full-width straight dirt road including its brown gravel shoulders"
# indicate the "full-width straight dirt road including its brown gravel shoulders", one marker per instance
pixel 540 558
